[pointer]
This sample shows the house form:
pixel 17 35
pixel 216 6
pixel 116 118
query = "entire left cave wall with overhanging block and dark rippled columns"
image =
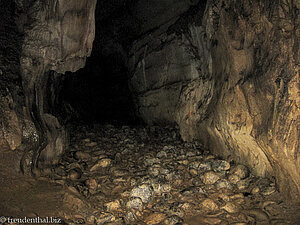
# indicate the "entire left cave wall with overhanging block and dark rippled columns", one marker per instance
pixel 40 36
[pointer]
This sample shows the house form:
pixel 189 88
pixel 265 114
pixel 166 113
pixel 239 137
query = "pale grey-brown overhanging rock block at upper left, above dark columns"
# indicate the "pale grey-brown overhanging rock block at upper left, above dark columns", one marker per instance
pixel 74 25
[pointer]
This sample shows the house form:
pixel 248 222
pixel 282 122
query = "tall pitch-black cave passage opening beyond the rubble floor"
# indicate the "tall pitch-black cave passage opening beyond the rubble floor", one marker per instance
pixel 99 92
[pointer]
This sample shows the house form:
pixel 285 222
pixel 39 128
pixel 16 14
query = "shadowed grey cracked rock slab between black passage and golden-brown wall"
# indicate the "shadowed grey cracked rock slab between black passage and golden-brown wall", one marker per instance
pixel 169 65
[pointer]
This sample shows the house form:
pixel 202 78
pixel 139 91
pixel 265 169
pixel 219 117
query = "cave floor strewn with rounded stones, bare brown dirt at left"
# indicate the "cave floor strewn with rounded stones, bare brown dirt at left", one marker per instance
pixel 124 175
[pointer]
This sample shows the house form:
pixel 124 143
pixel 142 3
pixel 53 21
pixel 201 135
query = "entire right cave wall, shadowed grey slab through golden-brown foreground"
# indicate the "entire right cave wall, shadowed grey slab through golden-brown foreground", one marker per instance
pixel 229 77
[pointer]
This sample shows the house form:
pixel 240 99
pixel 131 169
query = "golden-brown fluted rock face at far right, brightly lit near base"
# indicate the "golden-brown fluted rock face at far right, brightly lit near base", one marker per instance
pixel 256 68
